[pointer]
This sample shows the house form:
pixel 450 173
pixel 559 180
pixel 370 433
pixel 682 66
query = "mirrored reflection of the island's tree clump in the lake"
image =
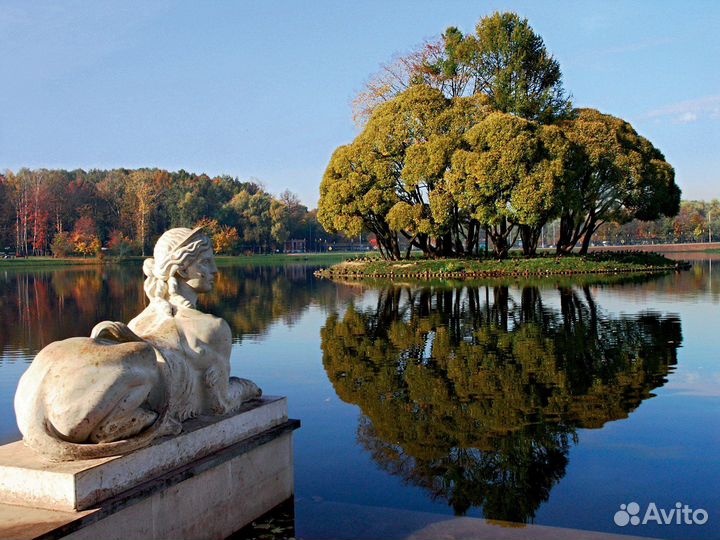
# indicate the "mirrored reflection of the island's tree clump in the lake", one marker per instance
pixel 476 395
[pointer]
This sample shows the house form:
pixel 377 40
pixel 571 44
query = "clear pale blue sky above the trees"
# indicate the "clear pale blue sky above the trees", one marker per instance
pixel 263 88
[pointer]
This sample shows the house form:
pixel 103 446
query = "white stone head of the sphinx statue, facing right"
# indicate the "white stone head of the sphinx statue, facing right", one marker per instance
pixel 181 257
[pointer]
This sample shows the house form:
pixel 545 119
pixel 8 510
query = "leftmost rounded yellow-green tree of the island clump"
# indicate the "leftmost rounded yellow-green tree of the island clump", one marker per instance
pixel 389 180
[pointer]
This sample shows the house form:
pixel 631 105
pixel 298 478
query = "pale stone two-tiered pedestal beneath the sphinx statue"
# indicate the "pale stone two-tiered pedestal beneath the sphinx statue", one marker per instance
pixel 208 482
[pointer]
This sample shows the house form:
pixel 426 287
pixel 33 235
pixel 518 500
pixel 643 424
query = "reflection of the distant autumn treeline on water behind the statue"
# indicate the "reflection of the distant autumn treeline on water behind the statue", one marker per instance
pixel 39 307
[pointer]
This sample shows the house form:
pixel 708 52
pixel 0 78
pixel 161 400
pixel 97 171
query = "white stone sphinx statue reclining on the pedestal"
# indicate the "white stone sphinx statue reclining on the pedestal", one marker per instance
pixel 127 384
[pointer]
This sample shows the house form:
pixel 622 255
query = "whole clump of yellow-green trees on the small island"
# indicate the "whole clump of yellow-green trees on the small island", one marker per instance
pixel 475 133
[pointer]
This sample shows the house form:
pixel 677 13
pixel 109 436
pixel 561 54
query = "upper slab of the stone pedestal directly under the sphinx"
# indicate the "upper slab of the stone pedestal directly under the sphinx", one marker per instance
pixel 29 480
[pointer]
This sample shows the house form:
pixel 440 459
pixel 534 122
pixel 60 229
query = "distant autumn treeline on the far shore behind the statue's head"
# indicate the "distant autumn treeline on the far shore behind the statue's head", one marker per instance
pixel 62 212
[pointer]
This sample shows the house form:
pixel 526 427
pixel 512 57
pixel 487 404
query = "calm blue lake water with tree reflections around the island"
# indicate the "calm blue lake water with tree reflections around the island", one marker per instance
pixel 550 402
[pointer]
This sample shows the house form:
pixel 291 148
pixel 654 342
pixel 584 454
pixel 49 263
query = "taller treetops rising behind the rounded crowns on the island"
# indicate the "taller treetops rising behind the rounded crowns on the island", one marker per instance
pixel 504 59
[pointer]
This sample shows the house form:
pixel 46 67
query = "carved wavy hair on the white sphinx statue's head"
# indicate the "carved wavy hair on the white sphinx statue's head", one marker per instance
pixel 161 283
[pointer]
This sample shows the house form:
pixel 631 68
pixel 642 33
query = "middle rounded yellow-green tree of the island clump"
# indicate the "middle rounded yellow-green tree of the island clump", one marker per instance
pixel 508 175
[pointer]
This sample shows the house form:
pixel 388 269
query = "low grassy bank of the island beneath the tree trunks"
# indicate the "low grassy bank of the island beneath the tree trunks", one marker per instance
pixel 593 263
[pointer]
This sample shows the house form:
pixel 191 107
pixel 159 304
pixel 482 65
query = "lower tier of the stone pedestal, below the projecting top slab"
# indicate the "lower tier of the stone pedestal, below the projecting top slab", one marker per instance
pixel 208 498
